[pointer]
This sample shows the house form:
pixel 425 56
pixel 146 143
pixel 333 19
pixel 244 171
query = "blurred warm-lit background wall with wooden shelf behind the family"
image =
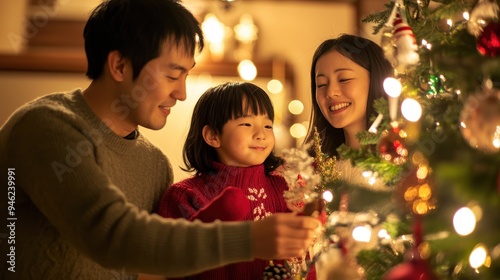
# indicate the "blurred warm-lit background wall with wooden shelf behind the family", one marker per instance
pixel 41 51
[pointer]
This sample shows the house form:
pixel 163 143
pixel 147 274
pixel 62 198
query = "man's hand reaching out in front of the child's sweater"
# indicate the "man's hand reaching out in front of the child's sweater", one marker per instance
pixel 283 236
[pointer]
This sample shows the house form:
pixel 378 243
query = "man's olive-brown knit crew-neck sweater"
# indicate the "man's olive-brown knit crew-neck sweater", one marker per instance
pixel 82 198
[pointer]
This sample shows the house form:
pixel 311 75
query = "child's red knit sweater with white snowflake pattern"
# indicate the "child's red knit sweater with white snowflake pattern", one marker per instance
pixel 265 193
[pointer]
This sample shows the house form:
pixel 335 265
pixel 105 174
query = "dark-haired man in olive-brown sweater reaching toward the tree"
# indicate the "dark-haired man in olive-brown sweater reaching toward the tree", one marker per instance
pixel 82 180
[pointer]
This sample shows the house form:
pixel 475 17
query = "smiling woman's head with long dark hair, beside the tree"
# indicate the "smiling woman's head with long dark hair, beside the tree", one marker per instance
pixel 347 74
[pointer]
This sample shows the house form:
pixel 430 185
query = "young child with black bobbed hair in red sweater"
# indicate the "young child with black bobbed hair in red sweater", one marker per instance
pixel 230 147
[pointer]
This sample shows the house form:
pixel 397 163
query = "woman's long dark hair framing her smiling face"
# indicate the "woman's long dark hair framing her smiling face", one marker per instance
pixel 368 55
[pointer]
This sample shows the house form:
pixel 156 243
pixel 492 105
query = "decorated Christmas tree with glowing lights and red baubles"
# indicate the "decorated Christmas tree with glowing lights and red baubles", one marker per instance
pixel 435 146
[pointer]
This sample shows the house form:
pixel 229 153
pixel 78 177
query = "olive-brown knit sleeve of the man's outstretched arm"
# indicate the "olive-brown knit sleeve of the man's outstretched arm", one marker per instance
pixel 91 213
